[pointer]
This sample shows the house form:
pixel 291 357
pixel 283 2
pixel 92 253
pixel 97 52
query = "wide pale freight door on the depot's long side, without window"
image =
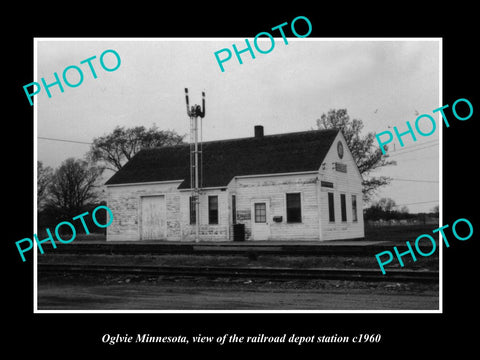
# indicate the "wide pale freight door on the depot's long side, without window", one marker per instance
pixel 153 217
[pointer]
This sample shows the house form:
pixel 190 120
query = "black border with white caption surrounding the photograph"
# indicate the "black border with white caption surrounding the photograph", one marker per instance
pixel 403 334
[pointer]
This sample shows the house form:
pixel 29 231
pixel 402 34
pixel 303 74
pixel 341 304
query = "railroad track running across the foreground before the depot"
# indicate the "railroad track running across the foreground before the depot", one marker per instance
pixel 247 272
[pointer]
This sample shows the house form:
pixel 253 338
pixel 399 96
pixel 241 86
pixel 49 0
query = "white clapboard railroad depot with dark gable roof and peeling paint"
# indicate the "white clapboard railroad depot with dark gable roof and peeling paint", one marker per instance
pixel 290 187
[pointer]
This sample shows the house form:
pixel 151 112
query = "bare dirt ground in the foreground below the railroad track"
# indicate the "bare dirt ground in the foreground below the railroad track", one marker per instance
pixel 82 292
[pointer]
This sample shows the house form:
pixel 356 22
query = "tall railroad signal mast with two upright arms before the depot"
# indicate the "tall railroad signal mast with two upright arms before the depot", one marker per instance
pixel 194 113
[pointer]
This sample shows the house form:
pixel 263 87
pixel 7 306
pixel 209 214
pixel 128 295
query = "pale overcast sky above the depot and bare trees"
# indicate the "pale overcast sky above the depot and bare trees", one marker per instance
pixel 383 82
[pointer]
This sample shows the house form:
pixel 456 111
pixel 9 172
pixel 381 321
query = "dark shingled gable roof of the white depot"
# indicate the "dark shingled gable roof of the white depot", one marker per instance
pixel 225 159
